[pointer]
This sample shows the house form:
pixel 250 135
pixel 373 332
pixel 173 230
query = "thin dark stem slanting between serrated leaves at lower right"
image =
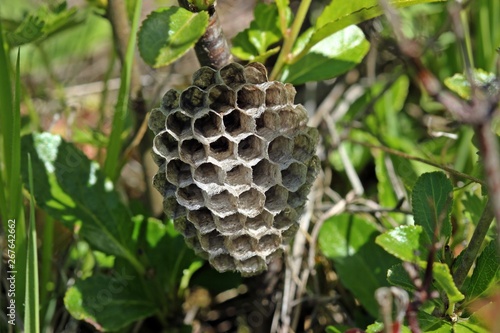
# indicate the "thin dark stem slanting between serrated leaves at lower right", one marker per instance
pixel 468 256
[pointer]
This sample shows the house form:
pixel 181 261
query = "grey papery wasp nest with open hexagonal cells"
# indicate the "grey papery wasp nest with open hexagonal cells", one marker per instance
pixel 236 163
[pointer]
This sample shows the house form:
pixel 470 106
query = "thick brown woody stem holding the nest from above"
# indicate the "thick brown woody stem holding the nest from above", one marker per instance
pixel 212 49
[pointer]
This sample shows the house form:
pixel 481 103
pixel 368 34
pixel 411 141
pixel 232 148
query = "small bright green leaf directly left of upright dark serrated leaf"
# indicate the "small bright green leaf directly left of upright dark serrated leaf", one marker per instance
pixel 407 243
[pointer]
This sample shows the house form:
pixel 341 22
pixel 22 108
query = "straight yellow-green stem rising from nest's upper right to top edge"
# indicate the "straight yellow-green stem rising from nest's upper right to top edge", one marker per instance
pixel 290 37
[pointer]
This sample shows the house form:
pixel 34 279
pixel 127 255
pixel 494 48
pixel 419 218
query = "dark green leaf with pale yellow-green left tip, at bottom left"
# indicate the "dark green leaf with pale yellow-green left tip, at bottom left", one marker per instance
pixel 109 302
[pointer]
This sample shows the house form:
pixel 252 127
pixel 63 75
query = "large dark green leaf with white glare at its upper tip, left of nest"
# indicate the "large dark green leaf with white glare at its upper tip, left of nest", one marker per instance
pixel 72 189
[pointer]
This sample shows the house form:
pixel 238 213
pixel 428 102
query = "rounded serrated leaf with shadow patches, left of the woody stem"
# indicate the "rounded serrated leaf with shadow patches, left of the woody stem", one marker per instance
pixel 167 34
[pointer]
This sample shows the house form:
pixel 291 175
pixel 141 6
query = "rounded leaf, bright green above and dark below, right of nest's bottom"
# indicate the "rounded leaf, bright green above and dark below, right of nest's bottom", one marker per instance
pixel 360 263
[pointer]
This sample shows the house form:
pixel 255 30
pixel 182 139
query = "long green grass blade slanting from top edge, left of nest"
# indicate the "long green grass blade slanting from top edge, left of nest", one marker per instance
pixel 113 160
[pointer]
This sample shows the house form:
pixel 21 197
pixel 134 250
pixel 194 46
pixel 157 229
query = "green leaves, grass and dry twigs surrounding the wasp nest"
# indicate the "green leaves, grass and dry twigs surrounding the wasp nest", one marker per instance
pixel 399 233
